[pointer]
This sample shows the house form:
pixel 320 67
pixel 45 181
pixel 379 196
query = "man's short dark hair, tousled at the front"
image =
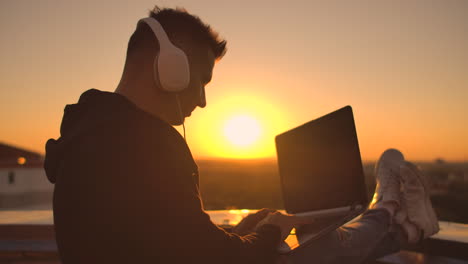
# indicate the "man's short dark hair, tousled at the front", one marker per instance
pixel 178 22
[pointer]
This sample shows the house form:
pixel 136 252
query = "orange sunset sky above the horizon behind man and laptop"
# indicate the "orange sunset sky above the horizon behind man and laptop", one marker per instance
pixel 401 65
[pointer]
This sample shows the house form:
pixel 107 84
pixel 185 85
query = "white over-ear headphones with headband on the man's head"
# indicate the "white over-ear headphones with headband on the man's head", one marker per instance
pixel 171 65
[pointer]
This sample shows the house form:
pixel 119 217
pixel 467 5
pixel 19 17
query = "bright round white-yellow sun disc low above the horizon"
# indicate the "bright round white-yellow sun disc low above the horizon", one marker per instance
pixel 242 130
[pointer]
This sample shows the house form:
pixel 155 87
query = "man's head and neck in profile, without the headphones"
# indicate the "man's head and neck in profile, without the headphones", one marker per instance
pixel 202 47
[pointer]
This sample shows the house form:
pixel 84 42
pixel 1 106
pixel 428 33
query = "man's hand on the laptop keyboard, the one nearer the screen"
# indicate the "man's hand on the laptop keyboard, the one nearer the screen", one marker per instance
pixel 285 222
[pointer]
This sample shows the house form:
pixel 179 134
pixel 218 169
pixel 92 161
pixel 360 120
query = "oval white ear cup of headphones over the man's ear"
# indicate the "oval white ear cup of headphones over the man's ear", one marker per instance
pixel 173 69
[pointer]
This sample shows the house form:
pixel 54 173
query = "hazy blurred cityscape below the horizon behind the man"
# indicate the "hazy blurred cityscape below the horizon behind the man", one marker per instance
pixel 230 184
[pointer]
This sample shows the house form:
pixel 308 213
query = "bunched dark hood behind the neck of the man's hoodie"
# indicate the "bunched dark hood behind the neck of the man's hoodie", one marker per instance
pixel 78 120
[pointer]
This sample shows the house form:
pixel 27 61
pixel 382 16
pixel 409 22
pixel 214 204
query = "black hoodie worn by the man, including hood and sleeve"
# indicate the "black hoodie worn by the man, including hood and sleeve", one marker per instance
pixel 126 191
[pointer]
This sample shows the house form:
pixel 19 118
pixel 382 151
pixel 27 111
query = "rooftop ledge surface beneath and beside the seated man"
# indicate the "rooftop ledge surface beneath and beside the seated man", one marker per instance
pixel 28 236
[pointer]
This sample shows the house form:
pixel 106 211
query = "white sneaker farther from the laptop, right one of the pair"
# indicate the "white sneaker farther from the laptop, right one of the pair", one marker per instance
pixel 418 207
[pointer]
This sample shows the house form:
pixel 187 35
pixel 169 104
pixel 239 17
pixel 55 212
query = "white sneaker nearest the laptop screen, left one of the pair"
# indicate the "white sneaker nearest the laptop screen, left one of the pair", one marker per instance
pixel 387 175
